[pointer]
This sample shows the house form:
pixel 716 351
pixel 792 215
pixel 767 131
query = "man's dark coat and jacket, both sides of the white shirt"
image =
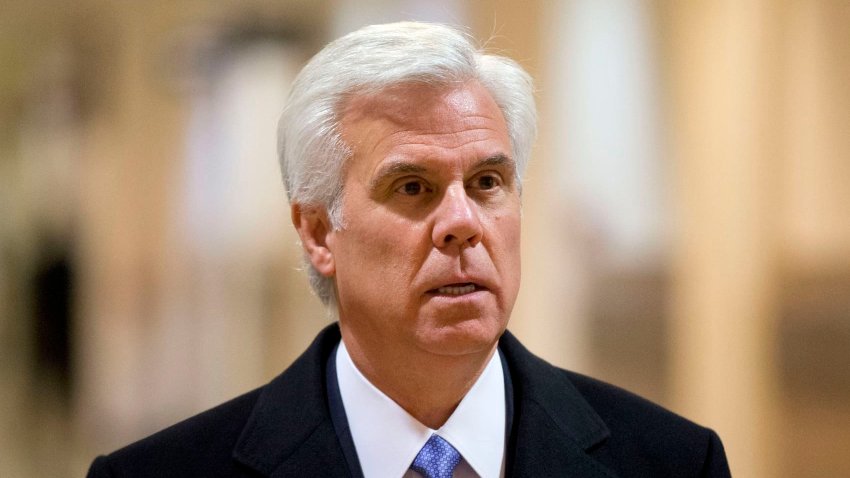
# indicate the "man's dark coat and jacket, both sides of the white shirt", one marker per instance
pixel 564 425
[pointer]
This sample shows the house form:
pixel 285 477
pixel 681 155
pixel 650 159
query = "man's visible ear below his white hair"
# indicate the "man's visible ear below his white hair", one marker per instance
pixel 314 227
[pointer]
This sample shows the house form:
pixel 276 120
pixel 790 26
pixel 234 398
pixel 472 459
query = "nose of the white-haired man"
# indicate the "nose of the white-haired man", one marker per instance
pixel 456 220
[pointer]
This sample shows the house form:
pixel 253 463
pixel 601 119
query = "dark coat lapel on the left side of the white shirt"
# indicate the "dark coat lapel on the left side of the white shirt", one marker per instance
pixel 290 432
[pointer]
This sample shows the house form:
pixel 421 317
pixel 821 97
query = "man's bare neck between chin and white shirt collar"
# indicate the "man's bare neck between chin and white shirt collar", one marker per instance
pixel 427 386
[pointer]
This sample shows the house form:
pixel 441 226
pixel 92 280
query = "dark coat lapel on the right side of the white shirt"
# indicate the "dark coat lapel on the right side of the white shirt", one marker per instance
pixel 553 427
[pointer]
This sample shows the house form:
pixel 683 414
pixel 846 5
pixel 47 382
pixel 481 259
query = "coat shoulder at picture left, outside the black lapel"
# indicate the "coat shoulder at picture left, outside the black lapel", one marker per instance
pixel 201 445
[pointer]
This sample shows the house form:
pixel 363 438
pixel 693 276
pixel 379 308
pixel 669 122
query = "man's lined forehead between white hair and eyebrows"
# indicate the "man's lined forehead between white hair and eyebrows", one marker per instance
pixel 423 120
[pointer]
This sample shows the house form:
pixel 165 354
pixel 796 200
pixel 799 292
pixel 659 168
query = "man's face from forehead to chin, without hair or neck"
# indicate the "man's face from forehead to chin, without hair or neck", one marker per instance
pixel 429 255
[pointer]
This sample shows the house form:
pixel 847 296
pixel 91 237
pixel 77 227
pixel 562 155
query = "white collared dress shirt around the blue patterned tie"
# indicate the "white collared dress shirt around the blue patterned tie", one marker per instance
pixel 387 438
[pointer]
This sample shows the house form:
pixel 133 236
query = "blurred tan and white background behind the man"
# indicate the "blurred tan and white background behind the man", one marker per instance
pixel 686 214
